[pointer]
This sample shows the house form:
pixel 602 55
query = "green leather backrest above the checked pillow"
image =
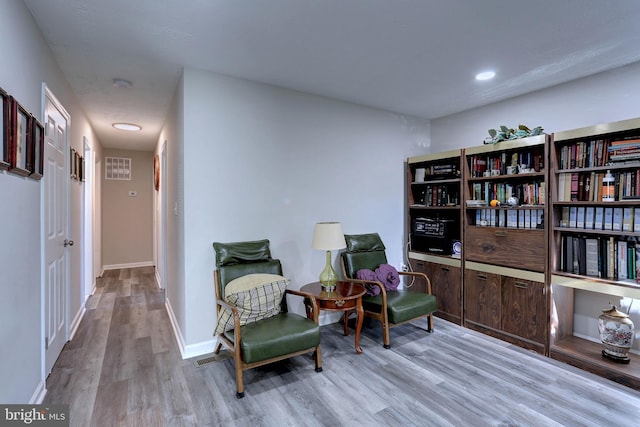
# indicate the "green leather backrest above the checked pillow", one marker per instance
pixel 238 259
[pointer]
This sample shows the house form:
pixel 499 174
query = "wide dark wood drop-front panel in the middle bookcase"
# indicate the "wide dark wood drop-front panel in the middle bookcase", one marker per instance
pixel 509 247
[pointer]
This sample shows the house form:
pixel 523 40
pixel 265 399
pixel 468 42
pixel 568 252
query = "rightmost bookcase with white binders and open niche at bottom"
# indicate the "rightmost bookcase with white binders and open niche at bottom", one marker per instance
pixel 593 243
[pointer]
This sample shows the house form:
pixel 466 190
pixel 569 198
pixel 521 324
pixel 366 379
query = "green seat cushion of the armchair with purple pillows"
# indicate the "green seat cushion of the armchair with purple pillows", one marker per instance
pixel 402 305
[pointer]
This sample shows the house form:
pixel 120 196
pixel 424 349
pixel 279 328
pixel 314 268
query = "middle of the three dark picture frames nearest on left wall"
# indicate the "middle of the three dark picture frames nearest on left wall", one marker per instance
pixel 20 140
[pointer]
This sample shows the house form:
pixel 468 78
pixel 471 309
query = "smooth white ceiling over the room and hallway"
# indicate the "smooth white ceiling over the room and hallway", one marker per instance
pixel 416 57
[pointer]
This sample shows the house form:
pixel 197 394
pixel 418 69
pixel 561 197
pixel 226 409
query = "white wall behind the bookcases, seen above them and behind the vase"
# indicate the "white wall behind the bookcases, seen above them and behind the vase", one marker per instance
pixel 603 98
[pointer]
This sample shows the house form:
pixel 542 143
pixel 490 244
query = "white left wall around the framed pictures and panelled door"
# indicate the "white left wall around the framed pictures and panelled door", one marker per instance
pixel 26 63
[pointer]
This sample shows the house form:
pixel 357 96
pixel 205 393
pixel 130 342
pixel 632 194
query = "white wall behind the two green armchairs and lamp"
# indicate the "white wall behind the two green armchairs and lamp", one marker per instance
pixel 264 162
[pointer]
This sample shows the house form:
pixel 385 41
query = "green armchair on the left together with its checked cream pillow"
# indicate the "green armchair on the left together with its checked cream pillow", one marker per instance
pixel 257 337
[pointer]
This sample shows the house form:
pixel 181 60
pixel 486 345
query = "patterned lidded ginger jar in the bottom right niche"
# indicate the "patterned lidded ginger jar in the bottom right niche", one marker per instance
pixel 616 333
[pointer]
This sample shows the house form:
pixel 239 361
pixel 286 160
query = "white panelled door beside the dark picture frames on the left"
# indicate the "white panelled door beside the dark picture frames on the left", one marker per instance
pixel 56 225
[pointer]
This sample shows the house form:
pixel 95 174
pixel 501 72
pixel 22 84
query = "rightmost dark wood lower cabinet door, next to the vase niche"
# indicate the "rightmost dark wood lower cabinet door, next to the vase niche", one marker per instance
pixel 524 308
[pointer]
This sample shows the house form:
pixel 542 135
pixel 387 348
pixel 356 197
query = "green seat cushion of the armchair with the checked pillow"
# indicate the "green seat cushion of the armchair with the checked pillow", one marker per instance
pixel 276 336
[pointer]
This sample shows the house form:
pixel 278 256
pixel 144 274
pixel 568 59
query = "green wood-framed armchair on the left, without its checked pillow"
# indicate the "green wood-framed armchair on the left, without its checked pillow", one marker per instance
pixel 268 340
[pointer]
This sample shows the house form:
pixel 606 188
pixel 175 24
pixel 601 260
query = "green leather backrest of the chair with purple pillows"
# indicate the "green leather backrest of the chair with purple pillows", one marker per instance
pixel 364 251
